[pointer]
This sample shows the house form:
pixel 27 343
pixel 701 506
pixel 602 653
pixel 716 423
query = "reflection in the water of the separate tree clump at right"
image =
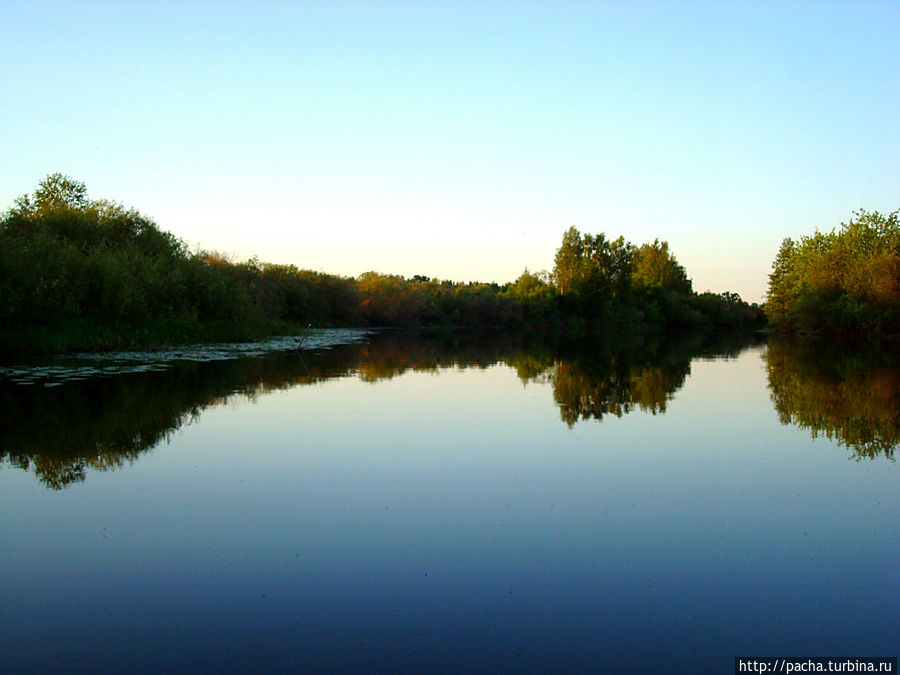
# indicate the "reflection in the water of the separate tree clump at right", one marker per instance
pixel 852 398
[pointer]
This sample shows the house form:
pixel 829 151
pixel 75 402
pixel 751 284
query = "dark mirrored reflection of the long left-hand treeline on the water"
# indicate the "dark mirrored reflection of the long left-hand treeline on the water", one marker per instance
pixel 100 423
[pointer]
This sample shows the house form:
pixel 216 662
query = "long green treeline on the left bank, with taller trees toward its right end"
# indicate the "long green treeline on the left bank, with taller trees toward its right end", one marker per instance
pixel 78 273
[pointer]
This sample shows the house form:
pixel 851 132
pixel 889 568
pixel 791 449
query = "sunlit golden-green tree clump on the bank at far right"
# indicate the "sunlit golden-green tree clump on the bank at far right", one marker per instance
pixel 841 284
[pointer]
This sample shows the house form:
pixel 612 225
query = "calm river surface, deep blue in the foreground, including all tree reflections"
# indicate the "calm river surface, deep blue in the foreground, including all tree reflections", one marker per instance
pixel 447 503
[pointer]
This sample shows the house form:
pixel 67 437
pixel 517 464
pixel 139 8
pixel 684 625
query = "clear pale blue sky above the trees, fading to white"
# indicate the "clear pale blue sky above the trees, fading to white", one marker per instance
pixel 460 140
